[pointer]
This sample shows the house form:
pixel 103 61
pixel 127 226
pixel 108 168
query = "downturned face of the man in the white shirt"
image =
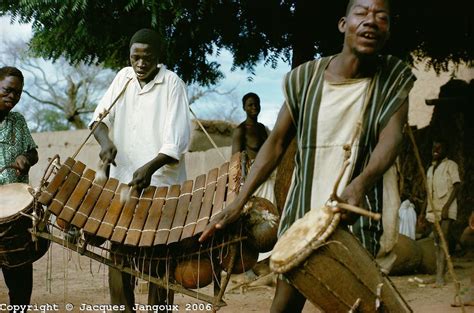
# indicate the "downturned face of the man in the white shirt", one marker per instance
pixel 144 60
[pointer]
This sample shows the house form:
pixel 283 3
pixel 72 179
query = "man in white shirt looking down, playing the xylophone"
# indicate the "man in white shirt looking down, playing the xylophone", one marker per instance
pixel 149 134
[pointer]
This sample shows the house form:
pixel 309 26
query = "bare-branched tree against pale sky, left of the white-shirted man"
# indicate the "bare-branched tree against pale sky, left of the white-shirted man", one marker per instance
pixel 56 96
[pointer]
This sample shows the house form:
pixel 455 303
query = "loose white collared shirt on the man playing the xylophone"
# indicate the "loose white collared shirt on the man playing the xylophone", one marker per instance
pixel 147 121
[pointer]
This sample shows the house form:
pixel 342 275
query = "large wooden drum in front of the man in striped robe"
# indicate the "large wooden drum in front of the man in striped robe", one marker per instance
pixel 329 266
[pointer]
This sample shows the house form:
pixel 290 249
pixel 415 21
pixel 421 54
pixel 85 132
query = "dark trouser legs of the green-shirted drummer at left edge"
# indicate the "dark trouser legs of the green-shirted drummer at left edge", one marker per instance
pixel 19 281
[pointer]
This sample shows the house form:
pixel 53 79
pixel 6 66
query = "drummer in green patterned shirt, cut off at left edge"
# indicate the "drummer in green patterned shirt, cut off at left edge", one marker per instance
pixel 17 154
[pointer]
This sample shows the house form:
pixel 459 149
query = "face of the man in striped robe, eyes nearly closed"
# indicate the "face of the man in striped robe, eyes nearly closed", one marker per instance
pixel 366 26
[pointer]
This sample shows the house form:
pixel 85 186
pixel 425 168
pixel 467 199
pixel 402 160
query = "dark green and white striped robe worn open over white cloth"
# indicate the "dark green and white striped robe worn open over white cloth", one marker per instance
pixel 303 88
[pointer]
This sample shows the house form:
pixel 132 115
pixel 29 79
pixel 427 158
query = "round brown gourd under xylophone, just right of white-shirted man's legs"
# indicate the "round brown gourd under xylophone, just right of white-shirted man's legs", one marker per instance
pixel 194 273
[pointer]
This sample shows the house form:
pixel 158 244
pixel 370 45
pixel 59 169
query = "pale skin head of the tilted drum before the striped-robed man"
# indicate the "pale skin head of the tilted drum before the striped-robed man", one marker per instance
pixel 301 239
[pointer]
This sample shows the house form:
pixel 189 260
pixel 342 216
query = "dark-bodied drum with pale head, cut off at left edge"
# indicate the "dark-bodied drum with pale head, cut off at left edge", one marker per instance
pixel 16 245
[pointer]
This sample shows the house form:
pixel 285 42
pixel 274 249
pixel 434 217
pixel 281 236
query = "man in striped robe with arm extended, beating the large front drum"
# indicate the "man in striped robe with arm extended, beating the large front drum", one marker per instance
pixel 325 101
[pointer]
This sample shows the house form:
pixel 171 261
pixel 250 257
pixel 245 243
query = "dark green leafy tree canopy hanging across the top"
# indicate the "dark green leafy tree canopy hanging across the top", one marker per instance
pixel 254 31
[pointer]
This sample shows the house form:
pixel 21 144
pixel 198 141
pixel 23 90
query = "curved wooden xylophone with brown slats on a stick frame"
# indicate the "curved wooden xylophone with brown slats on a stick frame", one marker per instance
pixel 152 225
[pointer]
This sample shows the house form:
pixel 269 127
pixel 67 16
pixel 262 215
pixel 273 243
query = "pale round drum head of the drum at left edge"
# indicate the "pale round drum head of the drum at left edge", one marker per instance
pixel 14 198
